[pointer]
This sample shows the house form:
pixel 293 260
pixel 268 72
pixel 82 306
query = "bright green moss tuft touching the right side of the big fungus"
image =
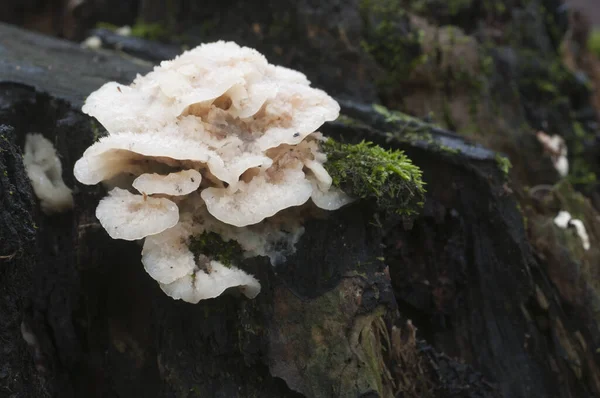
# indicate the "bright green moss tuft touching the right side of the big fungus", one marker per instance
pixel 367 171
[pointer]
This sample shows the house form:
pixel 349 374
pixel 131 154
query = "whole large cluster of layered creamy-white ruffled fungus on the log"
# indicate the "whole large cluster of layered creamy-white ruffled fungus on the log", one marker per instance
pixel 225 140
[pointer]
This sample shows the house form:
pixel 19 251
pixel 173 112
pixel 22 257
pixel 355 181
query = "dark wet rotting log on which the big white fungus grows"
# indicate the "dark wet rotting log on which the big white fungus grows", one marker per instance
pixel 332 321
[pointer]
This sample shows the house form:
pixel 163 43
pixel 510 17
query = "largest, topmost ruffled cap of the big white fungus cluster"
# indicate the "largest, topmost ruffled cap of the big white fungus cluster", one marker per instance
pixel 219 104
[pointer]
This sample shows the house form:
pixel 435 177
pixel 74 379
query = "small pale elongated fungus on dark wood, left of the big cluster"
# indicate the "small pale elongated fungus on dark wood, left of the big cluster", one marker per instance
pixel 45 172
